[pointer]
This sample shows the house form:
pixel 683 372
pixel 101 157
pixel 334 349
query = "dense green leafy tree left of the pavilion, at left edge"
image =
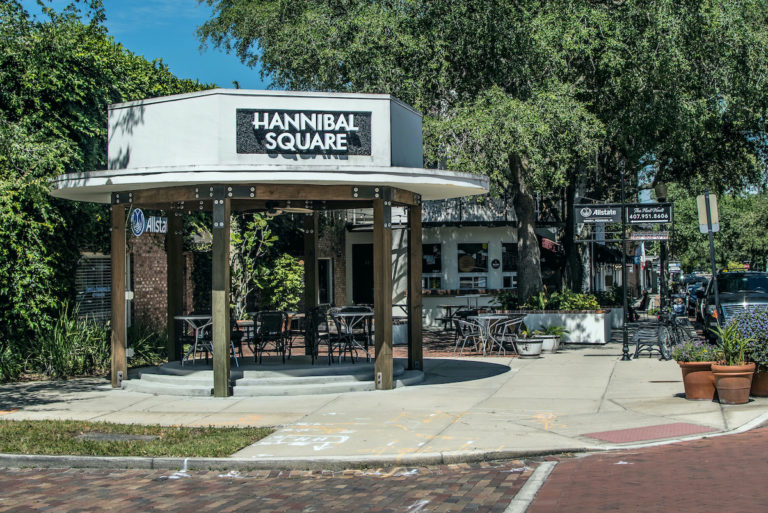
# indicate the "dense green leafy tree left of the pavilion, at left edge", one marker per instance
pixel 58 76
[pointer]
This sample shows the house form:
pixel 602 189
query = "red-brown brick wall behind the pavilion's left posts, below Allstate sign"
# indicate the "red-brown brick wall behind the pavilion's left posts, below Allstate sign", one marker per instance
pixel 150 285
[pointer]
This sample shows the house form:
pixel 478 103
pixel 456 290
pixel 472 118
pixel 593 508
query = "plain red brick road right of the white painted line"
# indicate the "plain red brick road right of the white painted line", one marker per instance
pixel 725 474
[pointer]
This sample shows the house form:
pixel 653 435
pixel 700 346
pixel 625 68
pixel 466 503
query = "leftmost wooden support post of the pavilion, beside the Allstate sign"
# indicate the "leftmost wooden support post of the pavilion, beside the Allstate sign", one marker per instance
pixel 118 325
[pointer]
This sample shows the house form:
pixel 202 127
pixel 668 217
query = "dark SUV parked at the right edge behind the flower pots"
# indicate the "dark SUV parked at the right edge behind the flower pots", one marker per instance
pixel 740 291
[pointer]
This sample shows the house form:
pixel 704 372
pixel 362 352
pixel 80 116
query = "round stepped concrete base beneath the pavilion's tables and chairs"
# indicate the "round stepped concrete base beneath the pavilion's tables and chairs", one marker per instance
pixel 272 377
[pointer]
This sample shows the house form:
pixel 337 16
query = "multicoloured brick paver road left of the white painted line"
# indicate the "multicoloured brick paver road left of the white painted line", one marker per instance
pixel 451 488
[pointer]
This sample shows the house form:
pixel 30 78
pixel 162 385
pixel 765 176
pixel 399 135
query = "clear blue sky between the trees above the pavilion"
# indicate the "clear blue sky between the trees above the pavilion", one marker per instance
pixel 165 29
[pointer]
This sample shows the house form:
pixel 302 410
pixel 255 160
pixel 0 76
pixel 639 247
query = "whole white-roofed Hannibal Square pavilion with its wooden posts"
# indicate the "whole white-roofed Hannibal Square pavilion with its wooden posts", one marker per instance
pixel 222 151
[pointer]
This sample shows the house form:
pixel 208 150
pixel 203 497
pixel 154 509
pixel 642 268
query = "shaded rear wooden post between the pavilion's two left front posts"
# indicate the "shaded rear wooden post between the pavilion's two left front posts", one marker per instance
pixel 175 278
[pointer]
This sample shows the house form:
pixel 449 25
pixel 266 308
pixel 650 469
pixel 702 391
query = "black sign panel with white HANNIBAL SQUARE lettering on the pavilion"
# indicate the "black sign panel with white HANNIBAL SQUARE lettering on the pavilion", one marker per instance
pixel 303 132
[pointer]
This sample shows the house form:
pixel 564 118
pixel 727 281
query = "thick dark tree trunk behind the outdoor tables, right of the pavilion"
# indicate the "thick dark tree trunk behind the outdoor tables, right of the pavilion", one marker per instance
pixel 529 260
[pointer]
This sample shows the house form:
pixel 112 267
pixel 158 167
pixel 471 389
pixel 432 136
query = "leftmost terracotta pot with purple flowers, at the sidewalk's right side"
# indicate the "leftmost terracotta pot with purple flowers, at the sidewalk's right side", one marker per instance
pixel 695 360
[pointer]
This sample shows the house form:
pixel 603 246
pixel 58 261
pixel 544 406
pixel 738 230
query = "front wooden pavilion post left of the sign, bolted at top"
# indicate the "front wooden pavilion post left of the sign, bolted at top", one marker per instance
pixel 220 294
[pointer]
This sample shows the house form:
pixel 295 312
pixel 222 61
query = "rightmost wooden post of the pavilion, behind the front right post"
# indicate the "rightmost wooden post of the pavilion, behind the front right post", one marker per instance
pixel 415 349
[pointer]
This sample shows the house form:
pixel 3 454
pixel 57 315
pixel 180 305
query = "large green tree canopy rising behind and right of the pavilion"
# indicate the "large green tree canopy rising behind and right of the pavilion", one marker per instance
pixel 566 91
